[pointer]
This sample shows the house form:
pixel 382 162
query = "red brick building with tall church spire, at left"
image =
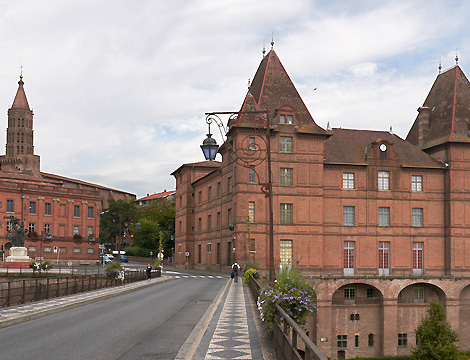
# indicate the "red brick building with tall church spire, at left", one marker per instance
pixel 60 213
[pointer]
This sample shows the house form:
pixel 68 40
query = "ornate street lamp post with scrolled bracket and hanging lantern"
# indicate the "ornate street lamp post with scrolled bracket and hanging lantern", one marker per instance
pixel 210 148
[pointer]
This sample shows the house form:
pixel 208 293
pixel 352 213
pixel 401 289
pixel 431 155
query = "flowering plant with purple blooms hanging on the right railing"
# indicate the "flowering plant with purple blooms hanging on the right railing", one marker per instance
pixel 293 294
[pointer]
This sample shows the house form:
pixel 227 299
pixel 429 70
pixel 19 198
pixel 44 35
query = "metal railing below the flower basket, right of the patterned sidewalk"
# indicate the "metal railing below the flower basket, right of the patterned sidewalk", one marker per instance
pixel 286 334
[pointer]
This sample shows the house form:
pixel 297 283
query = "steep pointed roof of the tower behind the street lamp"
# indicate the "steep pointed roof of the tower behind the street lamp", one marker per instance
pixel 272 89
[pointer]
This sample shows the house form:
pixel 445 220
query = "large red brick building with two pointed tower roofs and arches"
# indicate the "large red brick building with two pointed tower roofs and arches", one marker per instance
pixel 379 223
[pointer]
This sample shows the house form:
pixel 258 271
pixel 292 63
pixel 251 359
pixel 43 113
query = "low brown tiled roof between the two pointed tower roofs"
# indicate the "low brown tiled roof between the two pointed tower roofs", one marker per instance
pixel 351 147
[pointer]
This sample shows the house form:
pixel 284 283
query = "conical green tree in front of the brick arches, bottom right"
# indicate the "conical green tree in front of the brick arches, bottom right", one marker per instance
pixel 436 340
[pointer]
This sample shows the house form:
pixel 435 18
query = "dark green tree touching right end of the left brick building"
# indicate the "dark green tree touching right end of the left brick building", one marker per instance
pixel 115 219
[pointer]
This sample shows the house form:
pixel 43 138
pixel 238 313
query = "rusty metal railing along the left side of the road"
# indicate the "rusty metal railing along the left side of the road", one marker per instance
pixel 16 292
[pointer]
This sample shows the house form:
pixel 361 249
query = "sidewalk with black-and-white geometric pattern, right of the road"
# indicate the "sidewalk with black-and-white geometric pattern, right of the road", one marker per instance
pixel 230 329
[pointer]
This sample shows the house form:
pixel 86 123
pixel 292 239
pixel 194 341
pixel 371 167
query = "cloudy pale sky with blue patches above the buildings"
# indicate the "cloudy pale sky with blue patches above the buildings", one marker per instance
pixel 119 88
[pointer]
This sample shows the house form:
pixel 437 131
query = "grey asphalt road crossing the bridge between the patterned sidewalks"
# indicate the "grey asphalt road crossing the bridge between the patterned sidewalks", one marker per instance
pixel 151 323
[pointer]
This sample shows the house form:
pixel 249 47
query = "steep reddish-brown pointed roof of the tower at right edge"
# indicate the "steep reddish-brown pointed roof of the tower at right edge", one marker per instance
pixel 449 101
